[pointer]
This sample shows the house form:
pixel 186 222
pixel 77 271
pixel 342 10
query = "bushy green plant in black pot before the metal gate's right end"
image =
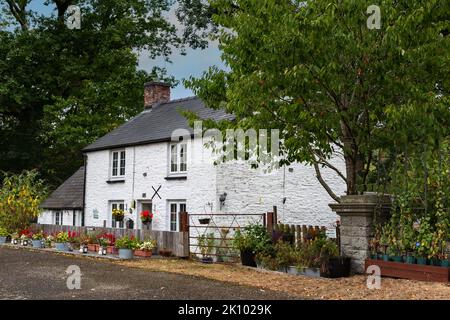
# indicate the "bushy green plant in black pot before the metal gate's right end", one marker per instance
pixel 249 241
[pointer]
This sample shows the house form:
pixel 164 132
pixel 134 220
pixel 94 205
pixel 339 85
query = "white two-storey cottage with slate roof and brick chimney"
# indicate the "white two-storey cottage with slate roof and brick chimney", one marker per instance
pixel 138 166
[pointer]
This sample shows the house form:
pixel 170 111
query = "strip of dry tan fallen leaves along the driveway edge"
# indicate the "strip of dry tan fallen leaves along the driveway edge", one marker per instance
pixel 303 287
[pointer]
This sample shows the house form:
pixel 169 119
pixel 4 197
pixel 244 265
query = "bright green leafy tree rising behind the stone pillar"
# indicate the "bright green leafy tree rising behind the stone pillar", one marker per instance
pixel 314 70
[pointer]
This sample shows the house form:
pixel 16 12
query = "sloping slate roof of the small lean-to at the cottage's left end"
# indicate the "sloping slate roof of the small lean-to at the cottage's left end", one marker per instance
pixel 69 195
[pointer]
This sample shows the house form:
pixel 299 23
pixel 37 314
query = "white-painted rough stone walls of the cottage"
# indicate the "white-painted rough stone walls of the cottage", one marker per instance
pixel 248 190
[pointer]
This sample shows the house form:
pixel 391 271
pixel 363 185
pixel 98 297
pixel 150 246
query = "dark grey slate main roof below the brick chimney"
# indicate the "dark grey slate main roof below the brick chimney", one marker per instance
pixel 156 124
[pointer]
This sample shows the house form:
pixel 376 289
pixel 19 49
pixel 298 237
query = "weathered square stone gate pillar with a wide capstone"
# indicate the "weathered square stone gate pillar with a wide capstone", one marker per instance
pixel 357 214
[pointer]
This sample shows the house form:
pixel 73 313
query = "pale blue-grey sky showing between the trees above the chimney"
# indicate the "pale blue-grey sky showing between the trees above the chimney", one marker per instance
pixel 182 67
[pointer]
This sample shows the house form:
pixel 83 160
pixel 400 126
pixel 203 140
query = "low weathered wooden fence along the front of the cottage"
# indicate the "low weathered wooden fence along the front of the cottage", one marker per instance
pixel 177 242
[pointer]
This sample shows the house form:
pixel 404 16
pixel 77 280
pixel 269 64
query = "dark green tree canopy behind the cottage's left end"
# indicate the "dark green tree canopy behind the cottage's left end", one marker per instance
pixel 60 89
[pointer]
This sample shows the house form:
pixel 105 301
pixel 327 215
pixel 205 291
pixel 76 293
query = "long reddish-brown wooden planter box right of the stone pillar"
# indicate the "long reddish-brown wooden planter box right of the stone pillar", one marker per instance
pixel 411 271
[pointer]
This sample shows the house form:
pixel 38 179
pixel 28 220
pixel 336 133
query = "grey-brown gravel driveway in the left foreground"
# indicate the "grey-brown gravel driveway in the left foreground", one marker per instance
pixel 41 275
